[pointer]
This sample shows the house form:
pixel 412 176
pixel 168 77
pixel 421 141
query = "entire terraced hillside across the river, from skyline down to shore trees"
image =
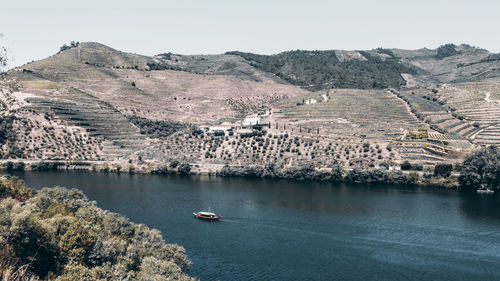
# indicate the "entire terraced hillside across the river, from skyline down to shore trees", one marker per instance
pixel 101 108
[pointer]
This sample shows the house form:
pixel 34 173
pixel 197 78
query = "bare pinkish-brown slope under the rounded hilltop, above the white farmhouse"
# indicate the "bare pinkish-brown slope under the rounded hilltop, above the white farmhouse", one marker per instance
pixel 122 80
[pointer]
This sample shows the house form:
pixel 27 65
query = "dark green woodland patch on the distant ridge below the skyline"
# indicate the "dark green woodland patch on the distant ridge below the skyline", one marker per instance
pixel 316 70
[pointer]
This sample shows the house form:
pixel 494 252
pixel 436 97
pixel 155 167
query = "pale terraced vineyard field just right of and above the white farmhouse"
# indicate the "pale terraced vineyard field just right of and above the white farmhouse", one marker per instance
pixel 351 113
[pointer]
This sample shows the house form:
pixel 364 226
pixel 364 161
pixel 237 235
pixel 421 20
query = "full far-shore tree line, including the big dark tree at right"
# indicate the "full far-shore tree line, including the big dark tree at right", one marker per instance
pixel 478 170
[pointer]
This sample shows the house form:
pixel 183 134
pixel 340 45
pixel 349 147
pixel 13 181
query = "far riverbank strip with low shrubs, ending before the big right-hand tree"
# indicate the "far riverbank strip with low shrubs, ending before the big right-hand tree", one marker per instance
pixel 305 172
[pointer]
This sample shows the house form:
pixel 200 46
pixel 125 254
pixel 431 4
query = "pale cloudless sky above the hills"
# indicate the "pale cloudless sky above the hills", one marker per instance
pixel 35 29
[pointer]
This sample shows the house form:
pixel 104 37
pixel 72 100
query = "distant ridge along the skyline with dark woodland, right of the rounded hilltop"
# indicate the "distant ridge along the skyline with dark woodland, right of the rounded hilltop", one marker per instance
pixel 373 69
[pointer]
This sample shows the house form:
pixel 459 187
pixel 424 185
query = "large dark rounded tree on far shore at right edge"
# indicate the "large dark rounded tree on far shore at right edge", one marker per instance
pixel 481 168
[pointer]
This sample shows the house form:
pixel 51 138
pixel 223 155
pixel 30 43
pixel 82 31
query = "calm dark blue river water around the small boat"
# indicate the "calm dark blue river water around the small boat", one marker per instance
pixel 283 230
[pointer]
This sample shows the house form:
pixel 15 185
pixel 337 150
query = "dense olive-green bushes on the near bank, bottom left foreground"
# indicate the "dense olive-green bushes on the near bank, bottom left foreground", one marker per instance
pixel 58 234
